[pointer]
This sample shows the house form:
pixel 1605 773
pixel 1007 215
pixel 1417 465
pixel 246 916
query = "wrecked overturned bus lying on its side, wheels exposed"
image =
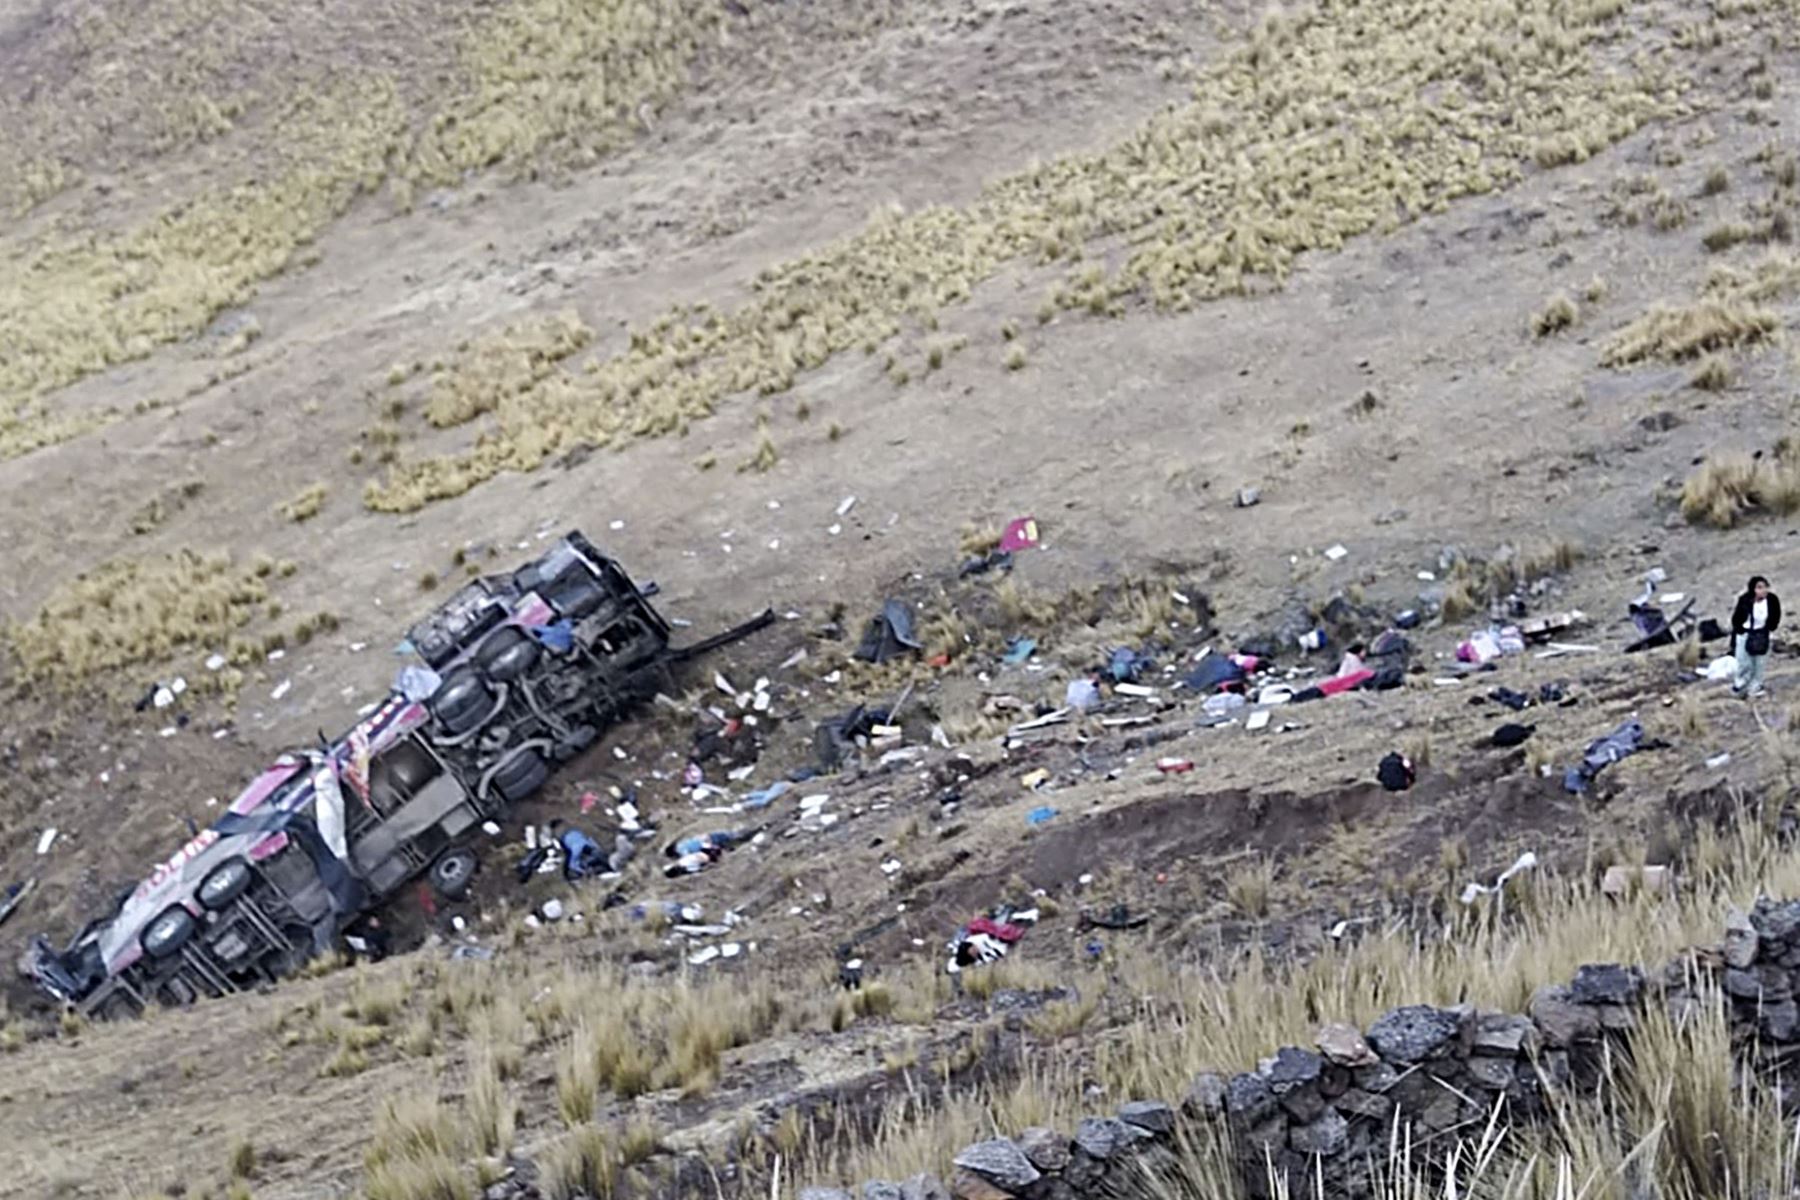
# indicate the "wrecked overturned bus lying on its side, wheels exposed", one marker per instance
pixel 519 672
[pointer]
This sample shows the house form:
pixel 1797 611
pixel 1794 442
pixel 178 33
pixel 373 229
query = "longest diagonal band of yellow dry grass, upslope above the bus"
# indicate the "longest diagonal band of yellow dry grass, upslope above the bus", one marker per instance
pixel 1189 190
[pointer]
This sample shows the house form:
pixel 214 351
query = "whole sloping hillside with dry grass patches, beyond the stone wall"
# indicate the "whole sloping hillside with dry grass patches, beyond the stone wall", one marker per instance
pixel 1270 319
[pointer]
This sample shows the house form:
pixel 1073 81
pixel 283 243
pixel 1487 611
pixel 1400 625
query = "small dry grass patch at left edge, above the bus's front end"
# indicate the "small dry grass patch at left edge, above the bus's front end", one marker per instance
pixel 132 613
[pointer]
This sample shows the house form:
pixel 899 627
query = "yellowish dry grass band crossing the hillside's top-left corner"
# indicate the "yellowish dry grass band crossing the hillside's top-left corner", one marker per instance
pixel 535 80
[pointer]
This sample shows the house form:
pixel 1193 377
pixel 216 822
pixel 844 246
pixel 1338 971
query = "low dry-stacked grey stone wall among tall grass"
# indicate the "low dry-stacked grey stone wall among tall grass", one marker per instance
pixel 1331 1109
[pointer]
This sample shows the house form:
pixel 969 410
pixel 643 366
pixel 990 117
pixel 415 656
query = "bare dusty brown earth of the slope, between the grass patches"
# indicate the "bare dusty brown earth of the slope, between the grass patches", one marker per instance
pixel 1389 397
